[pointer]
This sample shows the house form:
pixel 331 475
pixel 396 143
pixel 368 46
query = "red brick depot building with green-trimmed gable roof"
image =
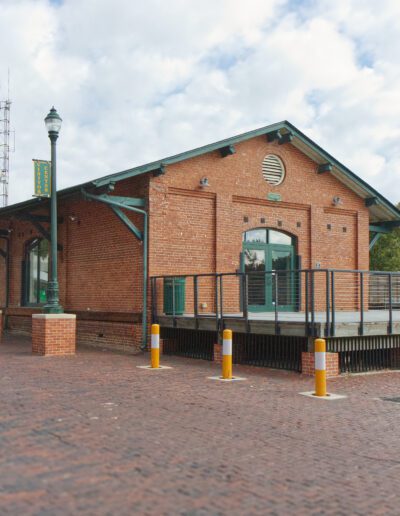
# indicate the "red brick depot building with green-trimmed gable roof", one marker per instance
pixel 264 200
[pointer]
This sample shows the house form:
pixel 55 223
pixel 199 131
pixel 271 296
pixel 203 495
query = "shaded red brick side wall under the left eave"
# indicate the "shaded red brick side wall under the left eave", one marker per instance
pixel 99 269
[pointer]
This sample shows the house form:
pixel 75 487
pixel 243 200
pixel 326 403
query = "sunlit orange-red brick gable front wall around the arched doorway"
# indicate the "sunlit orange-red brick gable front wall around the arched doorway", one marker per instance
pixel 204 232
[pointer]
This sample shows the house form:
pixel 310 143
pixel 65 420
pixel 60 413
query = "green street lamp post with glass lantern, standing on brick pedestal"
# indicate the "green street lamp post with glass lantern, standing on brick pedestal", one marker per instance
pixel 53 125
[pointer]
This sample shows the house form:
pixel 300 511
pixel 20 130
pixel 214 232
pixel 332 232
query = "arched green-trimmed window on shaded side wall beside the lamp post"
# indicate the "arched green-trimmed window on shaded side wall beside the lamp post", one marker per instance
pixel 36 271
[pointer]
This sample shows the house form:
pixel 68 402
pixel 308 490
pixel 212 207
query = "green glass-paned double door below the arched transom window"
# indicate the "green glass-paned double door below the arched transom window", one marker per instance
pixel 264 288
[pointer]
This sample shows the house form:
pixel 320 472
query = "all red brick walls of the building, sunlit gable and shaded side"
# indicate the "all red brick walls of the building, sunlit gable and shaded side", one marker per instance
pixel 198 231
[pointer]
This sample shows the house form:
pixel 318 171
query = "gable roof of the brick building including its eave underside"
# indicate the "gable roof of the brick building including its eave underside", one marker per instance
pixel 381 210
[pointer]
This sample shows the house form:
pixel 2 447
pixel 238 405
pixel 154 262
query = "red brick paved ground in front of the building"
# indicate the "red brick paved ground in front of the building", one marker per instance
pixel 92 434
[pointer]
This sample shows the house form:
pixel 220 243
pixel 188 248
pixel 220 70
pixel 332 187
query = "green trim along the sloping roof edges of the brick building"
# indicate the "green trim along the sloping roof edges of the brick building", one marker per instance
pixel 278 130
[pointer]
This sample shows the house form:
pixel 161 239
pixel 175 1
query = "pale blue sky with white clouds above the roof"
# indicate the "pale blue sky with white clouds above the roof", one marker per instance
pixel 136 81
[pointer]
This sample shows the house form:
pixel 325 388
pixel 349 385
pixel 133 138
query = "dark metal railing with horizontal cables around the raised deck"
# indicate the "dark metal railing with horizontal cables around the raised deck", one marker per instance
pixel 311 296
